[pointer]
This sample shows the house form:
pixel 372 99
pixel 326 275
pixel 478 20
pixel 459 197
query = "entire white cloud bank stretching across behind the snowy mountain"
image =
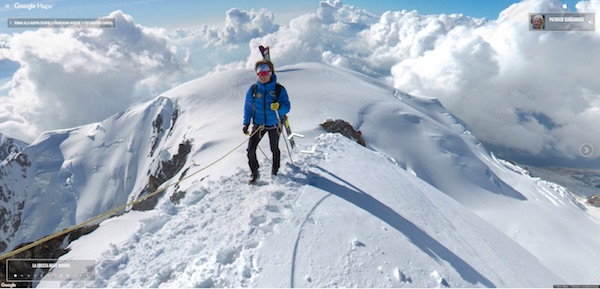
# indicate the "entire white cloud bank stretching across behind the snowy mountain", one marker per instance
pixel 535 93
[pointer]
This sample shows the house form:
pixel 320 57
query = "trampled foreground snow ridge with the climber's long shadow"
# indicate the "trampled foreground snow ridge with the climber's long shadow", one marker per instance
pixel 323 222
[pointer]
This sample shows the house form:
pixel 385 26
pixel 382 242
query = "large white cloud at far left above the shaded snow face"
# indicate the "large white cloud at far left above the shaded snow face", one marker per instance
pixel 70 77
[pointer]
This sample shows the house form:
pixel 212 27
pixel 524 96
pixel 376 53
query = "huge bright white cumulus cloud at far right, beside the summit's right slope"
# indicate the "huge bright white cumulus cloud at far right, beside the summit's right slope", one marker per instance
pixel 531 92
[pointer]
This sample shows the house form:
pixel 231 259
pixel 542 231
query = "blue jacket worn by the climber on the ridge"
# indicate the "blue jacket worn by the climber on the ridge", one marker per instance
pixel 258 109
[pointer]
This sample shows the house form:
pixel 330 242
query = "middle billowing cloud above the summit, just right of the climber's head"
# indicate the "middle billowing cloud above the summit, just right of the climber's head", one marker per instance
pixel 353 38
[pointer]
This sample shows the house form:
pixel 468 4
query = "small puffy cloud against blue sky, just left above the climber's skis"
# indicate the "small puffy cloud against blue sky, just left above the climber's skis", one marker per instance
pixel 240 26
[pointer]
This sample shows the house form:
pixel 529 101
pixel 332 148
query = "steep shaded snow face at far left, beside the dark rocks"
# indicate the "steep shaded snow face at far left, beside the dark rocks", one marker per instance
pixel 66 177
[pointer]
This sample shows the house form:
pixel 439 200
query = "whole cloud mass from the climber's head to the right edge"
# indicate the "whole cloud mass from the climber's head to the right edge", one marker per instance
pixel 534 93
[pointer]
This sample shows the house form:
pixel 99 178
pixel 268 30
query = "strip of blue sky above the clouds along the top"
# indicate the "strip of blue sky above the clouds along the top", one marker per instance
pixel 182 13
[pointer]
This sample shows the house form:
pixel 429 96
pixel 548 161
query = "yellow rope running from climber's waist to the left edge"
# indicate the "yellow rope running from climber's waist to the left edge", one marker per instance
pixel 139 200
